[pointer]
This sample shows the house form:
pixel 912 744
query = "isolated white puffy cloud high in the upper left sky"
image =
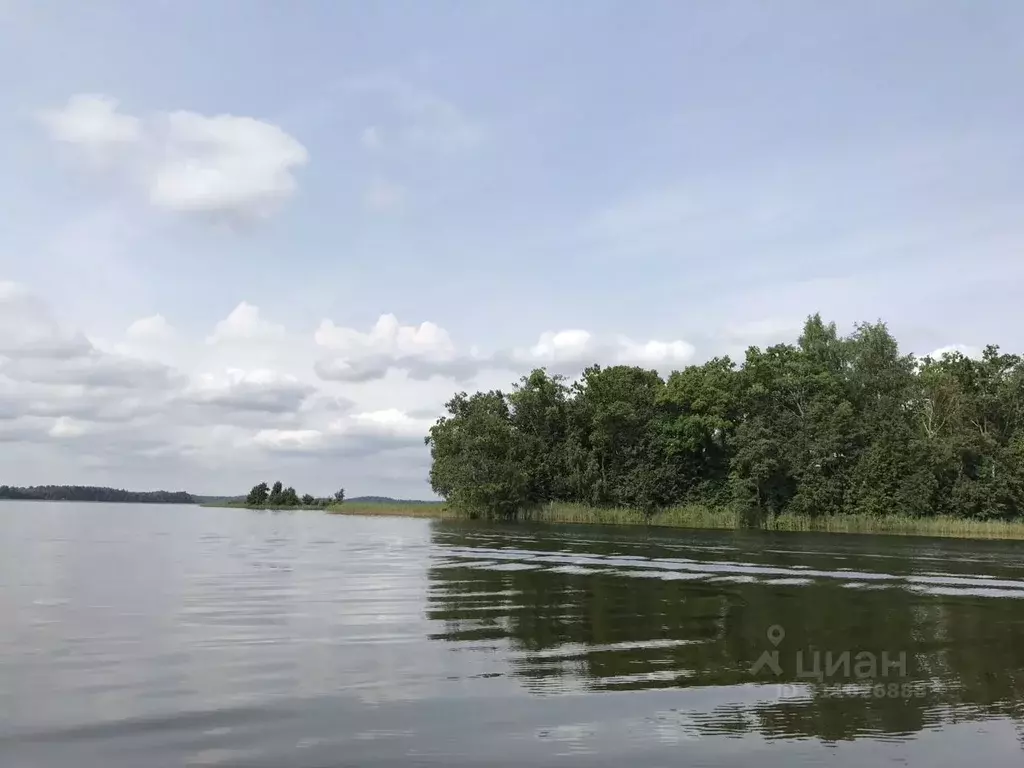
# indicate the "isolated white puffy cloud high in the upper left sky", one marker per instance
pixel 223 165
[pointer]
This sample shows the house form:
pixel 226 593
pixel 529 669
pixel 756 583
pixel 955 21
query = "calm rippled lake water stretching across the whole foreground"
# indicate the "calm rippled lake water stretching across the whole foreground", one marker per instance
pixel 180 636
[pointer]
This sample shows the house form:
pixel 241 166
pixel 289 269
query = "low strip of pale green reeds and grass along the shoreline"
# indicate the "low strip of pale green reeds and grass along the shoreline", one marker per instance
pixel 706 518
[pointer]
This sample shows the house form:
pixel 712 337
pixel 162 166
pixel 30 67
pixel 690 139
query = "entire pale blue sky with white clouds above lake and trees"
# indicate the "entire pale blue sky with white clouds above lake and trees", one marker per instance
pixel 248 241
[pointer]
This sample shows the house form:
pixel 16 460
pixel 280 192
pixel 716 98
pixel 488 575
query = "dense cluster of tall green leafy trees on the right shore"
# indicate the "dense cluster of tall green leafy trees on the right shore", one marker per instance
pixel 826 426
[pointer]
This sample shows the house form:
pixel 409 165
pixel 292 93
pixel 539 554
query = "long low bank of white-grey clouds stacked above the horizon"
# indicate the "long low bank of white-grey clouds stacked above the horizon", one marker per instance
pixel 212 412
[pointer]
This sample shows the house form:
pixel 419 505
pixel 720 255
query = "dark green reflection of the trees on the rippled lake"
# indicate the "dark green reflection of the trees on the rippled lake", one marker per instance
pixel 607 631
